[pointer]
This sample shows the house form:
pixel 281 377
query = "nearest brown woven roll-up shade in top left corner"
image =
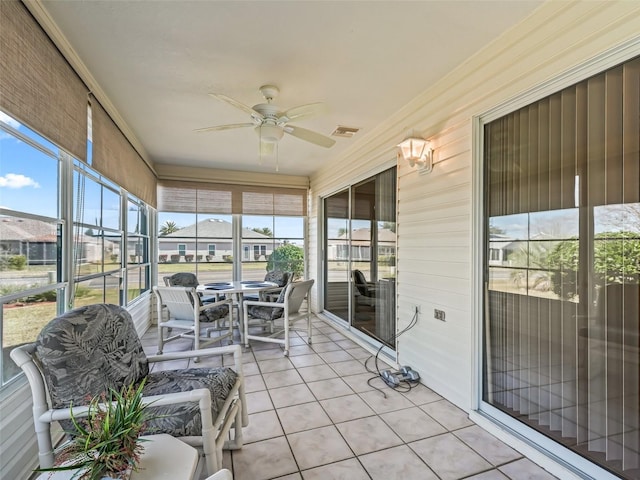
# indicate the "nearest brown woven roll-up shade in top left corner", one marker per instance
pixel 39 87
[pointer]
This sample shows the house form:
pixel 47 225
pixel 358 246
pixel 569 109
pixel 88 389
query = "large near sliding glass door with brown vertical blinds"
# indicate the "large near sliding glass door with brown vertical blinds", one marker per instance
pixel 562 267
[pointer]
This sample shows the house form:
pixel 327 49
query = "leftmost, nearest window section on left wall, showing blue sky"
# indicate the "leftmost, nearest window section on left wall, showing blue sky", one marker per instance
pixel 30 237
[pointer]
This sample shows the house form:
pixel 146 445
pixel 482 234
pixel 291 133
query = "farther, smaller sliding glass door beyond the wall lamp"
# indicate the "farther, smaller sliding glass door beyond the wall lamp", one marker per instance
pixel 360 246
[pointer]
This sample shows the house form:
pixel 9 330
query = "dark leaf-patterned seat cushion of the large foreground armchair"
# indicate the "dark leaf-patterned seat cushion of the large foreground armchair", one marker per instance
pixel 184 419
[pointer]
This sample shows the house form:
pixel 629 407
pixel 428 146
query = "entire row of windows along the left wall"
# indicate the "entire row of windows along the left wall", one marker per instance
pixel 107 250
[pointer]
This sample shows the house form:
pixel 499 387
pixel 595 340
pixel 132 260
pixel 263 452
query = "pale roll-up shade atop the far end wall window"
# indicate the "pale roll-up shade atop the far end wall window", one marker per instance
pixel 201 197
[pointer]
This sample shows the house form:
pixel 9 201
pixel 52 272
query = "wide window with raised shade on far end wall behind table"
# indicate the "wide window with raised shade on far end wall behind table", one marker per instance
pixel 236 231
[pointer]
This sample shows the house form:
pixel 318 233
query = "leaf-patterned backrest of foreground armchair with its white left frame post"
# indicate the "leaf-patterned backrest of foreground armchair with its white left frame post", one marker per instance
pixel 77 356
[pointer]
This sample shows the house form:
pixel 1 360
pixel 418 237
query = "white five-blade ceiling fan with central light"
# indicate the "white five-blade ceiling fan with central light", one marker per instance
pixel 270 122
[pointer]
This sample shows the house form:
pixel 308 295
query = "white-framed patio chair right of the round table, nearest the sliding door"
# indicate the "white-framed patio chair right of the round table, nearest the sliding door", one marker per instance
pixel 278 317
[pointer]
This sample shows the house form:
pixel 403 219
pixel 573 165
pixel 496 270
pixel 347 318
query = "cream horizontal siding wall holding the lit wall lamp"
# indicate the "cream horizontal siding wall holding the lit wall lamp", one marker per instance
pixel 435 261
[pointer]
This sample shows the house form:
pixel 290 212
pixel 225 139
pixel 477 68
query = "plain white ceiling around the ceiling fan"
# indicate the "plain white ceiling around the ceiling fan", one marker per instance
pixel 158 60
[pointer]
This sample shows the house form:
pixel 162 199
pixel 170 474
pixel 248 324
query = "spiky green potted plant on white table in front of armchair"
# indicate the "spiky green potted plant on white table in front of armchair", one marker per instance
pixel 106 443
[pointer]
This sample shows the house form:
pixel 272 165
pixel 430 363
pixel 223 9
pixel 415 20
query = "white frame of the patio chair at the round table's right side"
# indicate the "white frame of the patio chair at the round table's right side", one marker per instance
pixel 295 294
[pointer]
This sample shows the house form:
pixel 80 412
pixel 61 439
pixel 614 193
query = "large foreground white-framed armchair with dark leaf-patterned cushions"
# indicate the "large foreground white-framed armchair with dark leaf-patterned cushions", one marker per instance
pixel 86 351
